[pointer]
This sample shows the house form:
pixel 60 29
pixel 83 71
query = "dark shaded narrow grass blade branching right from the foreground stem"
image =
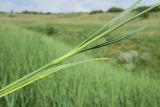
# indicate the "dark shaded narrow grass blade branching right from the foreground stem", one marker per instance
pixel 116 40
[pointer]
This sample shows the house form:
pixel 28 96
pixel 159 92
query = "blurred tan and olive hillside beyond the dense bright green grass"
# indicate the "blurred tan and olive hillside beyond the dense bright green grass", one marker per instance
pixel 140 53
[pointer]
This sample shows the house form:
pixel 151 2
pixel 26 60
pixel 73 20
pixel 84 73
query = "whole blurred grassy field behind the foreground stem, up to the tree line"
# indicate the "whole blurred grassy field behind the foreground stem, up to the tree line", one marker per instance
pixel 129 79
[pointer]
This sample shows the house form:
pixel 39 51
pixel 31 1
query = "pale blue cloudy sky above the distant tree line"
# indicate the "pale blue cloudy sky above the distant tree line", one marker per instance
pixel 66 5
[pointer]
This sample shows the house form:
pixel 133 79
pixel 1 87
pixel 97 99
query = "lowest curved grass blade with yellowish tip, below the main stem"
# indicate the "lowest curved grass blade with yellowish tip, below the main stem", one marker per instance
pixel 40 75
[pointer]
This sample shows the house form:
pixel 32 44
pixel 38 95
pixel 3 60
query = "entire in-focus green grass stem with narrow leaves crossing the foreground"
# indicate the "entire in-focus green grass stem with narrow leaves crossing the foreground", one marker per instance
pixel 55 65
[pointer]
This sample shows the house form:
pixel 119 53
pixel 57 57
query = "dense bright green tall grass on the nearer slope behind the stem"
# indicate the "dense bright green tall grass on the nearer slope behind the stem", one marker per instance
pixel 94 84
